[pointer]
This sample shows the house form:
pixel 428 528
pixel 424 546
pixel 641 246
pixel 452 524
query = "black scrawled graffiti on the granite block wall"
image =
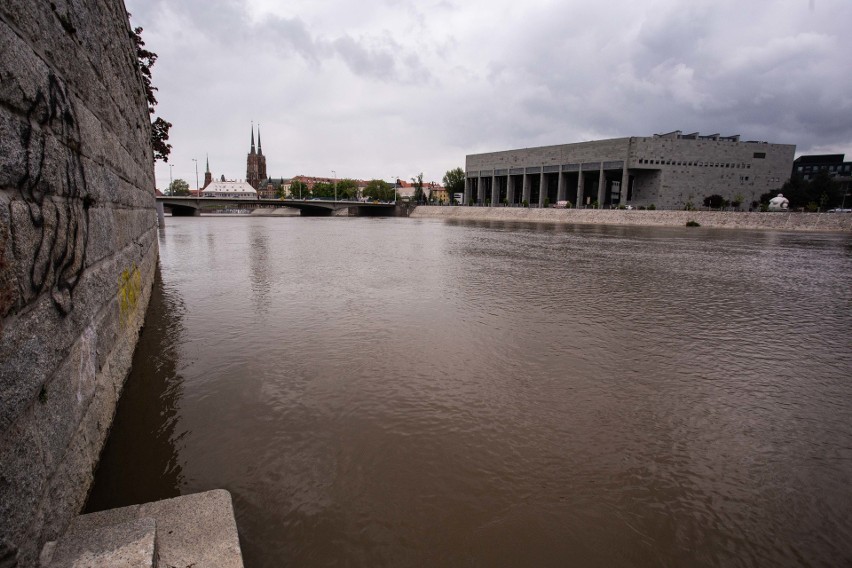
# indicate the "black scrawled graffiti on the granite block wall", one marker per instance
pixel 50 229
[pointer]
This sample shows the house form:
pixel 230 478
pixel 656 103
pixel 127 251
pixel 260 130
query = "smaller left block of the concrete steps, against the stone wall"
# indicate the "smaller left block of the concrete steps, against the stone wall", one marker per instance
pixel 131 544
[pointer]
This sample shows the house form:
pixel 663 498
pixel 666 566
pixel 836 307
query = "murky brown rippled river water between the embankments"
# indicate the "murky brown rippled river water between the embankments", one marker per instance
pixel 399 392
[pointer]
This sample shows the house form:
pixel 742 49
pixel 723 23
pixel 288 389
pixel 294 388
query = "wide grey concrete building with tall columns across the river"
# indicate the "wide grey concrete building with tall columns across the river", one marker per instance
pixel 666 170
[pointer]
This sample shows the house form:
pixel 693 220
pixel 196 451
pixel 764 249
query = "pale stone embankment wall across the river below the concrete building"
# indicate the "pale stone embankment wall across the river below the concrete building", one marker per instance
pixel 831 222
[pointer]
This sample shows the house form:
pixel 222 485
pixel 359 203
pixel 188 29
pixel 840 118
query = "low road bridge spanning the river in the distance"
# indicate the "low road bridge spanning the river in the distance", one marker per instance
pixel 191 206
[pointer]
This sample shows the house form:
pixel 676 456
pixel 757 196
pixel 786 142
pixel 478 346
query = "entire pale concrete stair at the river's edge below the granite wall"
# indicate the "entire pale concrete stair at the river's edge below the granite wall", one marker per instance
pixel 191 530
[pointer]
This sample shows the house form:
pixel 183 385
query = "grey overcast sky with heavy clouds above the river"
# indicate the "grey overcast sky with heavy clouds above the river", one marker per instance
pixel 392 88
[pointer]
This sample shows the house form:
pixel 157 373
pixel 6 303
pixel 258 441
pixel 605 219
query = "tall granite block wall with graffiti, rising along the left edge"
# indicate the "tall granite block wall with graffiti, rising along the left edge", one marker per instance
pixel 78 248
